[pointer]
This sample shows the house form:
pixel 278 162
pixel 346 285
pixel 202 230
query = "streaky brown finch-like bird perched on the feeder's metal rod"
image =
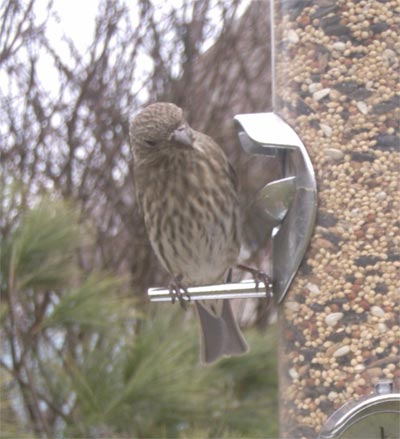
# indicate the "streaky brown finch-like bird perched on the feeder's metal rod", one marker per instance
pixel 186 190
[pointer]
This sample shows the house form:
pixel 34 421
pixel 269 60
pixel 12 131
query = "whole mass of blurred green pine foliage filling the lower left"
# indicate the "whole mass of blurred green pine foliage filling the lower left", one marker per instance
pixel 79 360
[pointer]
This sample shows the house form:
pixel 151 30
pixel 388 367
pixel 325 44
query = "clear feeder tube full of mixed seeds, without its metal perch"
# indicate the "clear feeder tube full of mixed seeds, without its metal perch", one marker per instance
pixel 336 69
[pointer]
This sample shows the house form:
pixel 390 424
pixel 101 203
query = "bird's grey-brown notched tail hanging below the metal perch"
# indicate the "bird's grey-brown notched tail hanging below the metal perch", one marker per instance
pixel 220 334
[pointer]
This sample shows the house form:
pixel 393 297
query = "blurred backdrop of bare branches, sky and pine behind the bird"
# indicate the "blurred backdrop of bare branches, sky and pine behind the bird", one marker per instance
pixel 82 352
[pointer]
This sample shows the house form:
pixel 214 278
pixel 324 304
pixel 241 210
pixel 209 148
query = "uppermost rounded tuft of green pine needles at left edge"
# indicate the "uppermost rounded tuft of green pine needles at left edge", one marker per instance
pixel 39 253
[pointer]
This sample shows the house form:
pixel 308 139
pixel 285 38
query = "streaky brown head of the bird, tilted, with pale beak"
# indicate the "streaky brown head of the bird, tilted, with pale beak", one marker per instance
pixel 159 126
